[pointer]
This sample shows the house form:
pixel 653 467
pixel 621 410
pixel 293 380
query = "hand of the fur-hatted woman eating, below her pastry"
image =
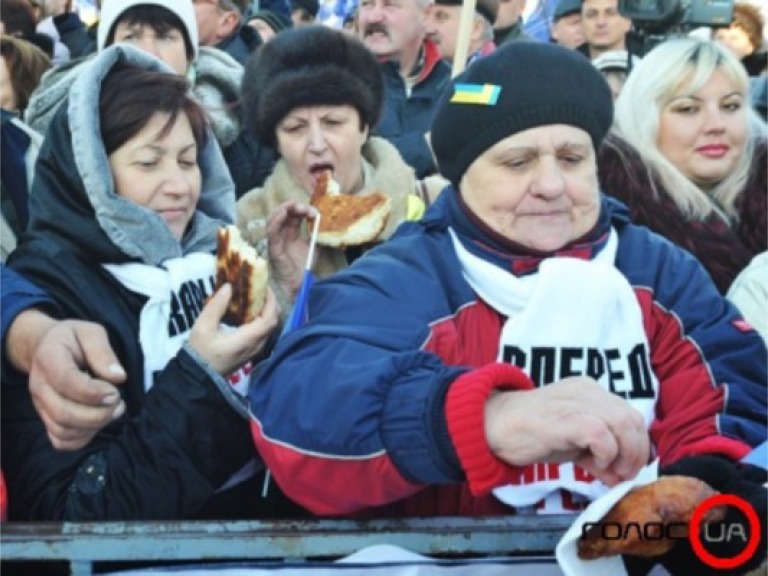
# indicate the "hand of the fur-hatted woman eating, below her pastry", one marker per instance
pixel 288 248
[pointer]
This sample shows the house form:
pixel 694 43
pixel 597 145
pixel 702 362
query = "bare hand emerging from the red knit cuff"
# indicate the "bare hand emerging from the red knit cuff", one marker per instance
pixel 572 420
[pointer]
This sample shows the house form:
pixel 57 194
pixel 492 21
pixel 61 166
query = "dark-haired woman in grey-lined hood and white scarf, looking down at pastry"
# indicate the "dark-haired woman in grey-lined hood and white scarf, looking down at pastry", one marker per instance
pixel 129 192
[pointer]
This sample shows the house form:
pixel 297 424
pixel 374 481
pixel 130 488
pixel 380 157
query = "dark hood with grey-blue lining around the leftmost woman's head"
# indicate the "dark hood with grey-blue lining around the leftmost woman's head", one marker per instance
pixel 73 200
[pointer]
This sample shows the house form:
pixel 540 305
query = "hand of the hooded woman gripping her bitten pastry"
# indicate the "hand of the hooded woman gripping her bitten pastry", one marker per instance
pixel 227 350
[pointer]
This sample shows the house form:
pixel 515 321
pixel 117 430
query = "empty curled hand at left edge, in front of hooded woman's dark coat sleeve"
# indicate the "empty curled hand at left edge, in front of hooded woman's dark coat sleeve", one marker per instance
pixel 72 379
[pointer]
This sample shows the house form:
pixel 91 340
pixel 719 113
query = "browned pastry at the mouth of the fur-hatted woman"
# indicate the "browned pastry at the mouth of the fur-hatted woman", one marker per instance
pixel 348 220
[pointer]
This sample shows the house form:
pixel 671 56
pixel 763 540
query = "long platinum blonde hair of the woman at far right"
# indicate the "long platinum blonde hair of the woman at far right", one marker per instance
pixel 663 72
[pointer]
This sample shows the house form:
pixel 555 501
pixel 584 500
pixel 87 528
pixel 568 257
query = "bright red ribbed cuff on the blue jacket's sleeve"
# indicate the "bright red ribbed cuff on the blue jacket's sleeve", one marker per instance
pixel 465 413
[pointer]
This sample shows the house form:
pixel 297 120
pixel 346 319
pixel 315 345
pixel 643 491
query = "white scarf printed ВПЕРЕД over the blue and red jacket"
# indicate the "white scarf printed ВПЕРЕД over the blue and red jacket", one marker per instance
pixel 571 317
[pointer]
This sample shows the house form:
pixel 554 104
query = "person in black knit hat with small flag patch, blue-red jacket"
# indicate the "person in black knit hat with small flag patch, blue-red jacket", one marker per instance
pixel 523 347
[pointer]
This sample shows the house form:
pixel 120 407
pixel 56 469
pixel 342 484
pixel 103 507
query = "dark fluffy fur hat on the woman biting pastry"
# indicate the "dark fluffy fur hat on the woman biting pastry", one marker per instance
pixel 309 66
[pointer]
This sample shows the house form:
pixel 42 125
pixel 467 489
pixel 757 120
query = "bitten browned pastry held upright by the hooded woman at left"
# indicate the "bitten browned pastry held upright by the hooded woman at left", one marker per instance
pixel 238 263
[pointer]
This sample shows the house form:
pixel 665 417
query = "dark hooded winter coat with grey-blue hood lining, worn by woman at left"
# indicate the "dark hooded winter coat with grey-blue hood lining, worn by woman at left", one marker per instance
pixel 179 441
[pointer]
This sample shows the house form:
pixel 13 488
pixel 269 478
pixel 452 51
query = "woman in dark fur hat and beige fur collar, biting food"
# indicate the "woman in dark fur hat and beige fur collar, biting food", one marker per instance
pixel 315 94
